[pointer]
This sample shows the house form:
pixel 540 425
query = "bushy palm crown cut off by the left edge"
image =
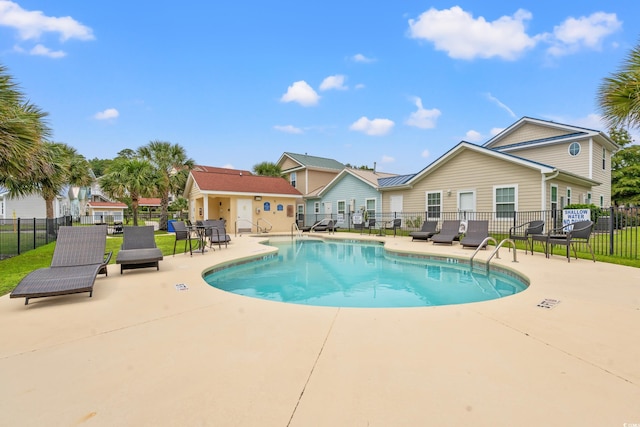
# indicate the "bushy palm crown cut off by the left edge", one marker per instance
pixel 22 130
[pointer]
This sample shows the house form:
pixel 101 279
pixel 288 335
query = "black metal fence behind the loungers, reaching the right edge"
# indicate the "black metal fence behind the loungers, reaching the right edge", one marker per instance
pixel 615 231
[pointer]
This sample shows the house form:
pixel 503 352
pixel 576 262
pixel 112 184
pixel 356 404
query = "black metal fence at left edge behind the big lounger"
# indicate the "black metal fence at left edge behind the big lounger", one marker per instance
pixel 24 234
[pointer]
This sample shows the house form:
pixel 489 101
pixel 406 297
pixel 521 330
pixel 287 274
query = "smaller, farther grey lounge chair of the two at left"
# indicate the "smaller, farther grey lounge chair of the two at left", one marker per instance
pixel 138 249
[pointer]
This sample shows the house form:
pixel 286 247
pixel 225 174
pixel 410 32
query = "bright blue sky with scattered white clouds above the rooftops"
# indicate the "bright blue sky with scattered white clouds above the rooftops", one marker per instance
pixel 237 83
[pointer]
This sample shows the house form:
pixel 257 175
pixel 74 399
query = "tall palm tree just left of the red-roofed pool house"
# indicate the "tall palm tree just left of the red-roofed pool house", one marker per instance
pixel 173 166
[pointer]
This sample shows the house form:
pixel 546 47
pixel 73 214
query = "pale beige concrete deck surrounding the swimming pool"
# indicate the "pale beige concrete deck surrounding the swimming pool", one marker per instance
pixel 141 353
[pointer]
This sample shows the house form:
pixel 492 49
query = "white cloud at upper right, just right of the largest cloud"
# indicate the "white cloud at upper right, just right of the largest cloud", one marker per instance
pixel 584 32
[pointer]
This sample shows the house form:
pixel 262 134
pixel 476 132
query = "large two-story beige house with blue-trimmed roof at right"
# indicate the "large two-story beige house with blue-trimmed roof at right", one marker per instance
pixel 533 165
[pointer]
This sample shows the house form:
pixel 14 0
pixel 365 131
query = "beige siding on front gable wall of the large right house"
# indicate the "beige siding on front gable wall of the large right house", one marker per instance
pixel 472 171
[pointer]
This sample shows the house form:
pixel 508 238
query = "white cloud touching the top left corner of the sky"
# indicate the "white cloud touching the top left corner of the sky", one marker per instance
pixel 32 24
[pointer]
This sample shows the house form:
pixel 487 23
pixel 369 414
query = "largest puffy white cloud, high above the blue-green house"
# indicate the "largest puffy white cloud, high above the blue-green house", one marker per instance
pixel 464 37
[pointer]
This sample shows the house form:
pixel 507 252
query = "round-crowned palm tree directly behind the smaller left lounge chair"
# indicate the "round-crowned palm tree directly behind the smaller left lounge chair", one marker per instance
pixel 130 178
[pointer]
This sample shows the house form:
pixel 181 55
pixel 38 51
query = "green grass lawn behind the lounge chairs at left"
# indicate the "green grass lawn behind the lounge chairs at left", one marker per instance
pixel 14 269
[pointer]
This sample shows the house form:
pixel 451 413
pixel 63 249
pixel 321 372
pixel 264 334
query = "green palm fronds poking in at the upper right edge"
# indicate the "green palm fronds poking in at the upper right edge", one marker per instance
pixel 619 94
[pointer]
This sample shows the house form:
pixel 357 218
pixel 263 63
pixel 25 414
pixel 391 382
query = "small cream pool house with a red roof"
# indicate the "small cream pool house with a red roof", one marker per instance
pixel 248 203
